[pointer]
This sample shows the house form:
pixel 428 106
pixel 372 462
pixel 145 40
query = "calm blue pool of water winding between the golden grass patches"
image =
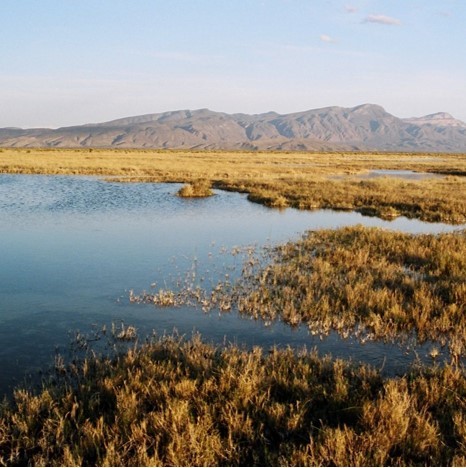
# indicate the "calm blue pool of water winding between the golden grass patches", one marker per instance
pixel 73 247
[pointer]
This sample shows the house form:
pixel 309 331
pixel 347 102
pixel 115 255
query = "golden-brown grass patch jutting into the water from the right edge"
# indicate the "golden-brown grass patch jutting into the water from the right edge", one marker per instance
pixel 378 283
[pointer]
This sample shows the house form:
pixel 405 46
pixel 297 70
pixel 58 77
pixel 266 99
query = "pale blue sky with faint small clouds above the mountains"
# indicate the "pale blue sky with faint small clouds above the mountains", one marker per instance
pixel 70 62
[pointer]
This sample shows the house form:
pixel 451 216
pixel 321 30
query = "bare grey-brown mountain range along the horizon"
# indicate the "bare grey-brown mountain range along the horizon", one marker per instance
pixel 364 127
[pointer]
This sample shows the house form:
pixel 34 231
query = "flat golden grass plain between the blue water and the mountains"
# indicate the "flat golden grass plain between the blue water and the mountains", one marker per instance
pixel 301 180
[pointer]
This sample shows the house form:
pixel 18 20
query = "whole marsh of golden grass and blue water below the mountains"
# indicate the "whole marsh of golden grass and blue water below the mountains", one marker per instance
pixel 87 260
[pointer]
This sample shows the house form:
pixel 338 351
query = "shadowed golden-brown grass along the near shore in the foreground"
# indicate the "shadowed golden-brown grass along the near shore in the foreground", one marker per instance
pixel 185 403
